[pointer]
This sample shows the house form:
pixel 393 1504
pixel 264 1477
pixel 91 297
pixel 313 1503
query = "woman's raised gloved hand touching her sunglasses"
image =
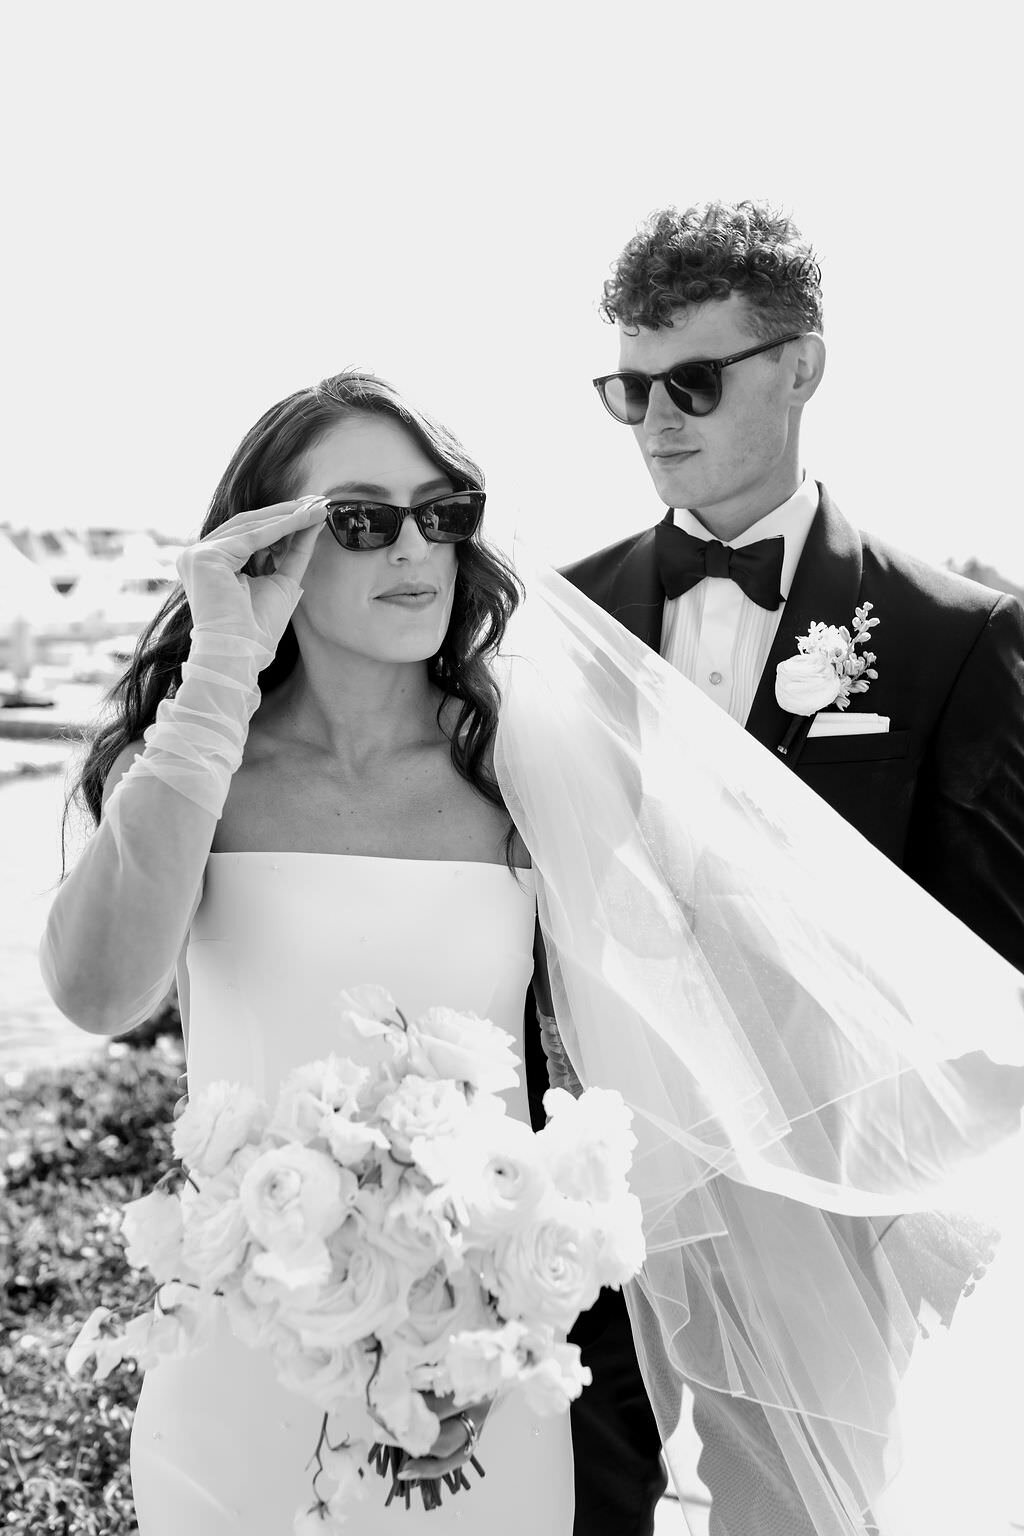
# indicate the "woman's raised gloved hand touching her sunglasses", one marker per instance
pixel 245 577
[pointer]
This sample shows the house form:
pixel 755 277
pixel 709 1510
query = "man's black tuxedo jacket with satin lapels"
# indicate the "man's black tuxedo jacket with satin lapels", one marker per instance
pixel 943 792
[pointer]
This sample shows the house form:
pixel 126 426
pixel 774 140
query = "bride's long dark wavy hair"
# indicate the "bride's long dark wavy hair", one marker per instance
pixel 265 469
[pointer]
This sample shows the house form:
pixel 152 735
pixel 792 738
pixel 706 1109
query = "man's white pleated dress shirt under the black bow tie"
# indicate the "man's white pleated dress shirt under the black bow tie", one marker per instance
pixel 713 634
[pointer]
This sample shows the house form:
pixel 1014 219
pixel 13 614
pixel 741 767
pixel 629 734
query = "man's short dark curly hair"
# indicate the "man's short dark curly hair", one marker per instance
pixel 709 253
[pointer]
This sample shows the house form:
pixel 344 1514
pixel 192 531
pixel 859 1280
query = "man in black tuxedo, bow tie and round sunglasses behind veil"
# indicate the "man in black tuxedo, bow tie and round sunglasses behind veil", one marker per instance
pixel 719 317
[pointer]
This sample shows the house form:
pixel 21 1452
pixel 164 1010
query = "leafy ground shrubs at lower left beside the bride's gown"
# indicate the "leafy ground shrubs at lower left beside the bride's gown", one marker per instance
pixel 74 1147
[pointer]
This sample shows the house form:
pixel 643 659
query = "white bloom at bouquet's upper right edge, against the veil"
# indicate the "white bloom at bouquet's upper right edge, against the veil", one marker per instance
pixel 587 1145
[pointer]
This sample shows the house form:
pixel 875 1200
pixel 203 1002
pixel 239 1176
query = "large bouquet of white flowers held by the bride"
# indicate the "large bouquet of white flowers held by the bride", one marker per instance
pixel 389 1234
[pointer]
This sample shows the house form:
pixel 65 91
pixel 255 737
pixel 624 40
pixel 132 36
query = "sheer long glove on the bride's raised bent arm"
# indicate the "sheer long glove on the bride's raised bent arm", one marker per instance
pixel 121 919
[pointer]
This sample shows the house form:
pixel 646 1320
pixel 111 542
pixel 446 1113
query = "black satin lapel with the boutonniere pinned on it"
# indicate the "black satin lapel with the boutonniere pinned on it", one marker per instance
pixel 825 591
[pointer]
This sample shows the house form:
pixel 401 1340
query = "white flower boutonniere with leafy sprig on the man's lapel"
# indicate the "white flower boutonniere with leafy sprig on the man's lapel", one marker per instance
pixel 827 670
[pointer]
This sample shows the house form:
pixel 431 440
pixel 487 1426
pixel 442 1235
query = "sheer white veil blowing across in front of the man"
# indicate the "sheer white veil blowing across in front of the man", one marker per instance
pixel 825 1068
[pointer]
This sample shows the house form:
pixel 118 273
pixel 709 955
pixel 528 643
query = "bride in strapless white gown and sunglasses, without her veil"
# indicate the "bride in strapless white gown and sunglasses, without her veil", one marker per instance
pixel 314 809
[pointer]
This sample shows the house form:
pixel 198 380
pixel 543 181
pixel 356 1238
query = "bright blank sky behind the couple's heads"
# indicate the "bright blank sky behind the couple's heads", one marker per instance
pixel 217 204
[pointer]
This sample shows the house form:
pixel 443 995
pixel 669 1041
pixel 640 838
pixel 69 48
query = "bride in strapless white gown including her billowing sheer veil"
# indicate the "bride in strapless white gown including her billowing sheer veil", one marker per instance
pixel 346 753
